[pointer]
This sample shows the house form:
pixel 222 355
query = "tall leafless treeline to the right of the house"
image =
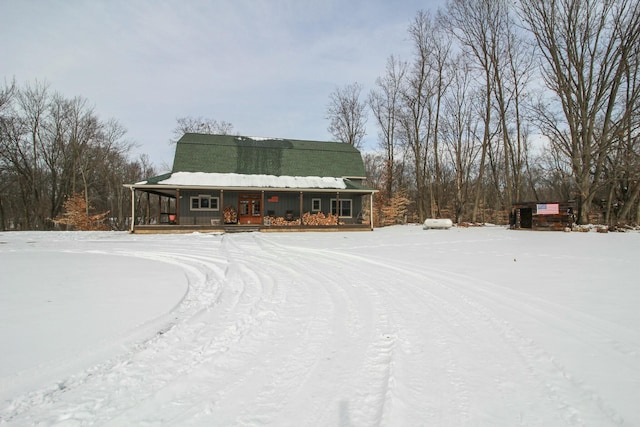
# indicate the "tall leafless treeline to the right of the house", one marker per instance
pixel 502 102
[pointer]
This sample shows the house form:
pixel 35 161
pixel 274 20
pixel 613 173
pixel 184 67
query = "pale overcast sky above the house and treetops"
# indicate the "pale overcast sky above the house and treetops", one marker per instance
pixel 267 67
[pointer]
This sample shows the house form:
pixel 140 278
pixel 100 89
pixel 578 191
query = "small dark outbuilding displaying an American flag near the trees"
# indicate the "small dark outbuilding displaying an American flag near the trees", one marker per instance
pixel 556 216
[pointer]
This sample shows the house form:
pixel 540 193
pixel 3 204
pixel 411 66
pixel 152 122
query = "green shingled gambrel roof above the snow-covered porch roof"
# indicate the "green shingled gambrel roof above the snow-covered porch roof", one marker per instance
pixel 279 157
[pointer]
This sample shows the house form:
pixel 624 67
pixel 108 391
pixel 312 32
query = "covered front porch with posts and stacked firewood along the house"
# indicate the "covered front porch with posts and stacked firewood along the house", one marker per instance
pixel 162 209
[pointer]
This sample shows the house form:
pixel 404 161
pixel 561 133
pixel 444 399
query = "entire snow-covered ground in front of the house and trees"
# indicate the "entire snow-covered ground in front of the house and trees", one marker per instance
pixel 396 327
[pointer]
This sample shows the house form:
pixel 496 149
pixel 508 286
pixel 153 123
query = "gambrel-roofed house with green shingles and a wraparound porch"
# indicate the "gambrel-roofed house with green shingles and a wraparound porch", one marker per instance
pixel 228 182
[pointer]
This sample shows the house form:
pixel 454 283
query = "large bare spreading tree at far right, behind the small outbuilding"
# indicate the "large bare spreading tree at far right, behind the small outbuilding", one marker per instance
pixel 587 46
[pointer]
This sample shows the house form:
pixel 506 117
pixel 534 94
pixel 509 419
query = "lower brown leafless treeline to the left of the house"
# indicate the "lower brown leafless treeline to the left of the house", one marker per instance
pixel 53 148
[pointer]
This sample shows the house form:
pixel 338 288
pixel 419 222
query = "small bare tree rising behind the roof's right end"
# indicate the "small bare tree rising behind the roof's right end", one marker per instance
pixel 347 115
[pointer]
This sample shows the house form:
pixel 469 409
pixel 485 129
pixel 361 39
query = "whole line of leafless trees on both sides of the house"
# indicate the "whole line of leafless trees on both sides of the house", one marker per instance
pixel 535 100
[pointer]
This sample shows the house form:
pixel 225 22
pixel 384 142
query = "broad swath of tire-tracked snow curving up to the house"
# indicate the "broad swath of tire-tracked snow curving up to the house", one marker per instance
pixel 319 340
